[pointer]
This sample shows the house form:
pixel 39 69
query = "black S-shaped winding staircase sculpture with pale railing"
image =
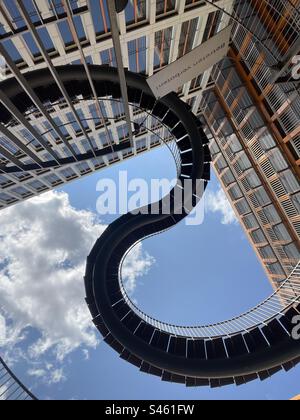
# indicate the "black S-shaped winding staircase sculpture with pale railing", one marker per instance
pixel 254 345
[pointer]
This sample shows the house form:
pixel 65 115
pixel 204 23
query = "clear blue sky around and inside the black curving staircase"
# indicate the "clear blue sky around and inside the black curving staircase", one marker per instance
pixel 198 275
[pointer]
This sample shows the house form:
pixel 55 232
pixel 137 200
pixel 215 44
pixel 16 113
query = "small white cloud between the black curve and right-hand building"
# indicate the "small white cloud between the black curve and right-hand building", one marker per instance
pixel 217 202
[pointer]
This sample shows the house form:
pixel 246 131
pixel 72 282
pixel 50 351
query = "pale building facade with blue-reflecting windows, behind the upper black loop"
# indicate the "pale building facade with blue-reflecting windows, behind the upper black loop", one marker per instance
pixel 153 35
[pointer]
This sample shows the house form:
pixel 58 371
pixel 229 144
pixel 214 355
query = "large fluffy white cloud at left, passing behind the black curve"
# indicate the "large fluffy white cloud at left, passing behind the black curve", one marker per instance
pixel 44 243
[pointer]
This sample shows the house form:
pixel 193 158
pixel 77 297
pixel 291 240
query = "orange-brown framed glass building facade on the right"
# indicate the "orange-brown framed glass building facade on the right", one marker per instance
pixel 254 127
